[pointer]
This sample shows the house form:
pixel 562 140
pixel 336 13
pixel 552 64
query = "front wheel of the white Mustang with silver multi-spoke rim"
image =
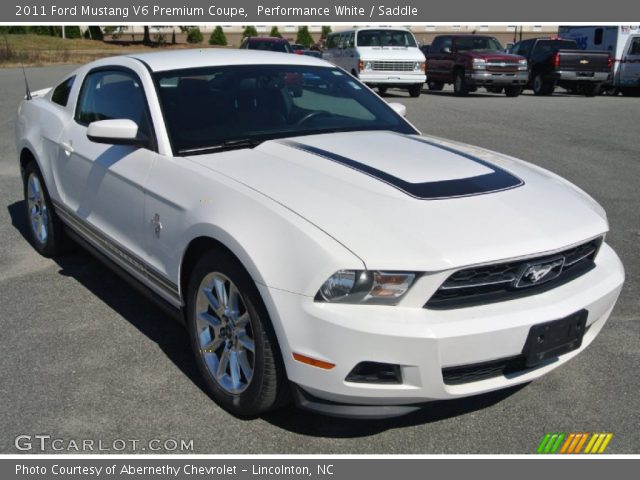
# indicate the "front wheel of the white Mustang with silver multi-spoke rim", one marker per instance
pixel 232 337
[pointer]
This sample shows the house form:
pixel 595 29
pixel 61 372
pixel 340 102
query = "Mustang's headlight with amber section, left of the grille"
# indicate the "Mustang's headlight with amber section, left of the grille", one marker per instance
pixel 363 286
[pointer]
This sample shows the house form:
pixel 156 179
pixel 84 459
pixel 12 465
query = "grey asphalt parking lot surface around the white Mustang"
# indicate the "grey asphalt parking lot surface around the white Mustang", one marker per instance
pixel 83 356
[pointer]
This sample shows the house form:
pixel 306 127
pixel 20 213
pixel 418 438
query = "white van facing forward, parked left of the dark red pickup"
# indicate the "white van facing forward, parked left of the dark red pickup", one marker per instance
pixel 383 57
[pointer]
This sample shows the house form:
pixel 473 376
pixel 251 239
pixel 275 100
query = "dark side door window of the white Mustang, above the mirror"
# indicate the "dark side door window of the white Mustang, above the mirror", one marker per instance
pixel 107 95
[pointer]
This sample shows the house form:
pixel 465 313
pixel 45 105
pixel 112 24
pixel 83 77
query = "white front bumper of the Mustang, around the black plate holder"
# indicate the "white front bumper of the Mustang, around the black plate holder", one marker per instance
pixel 423 342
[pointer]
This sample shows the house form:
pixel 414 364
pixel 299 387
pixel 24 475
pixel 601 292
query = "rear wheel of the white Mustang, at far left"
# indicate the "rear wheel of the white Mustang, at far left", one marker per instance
pixel 46 231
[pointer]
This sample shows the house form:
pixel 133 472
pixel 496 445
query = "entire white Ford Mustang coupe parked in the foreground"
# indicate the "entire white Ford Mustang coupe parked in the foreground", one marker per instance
pixel 314 244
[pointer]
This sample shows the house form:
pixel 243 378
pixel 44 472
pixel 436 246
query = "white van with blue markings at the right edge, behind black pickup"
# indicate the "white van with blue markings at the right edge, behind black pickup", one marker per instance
pixel 623 44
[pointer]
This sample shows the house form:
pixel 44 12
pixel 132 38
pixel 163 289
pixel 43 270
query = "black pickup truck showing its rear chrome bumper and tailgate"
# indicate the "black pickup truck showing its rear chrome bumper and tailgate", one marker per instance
pixel 559 62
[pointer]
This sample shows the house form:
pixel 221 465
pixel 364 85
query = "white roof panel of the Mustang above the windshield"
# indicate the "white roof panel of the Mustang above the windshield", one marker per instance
pixel 206 57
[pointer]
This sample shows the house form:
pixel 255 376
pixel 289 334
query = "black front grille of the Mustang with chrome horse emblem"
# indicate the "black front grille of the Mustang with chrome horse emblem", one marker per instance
pixel 504 281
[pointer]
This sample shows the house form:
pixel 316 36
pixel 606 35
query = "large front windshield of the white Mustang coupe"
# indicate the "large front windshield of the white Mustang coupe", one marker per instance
pixel 217 108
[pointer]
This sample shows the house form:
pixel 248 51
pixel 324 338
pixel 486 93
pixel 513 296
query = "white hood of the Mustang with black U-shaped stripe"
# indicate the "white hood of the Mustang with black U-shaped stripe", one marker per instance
pixel 404 202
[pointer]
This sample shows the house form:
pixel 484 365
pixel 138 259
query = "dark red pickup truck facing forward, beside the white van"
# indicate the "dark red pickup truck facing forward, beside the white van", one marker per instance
pixel 472 61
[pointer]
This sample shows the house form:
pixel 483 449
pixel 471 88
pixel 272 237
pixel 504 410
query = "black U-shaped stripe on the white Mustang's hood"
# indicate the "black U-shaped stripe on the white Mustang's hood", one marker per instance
pixel 495 181
